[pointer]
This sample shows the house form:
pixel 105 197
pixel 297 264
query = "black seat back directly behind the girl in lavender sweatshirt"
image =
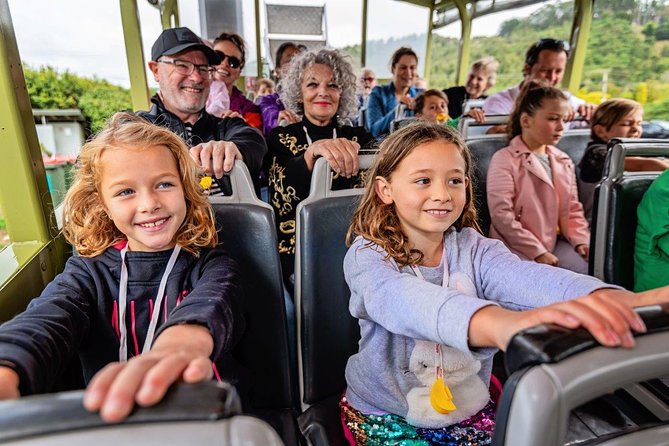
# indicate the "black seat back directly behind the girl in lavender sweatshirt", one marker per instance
pixel 327 333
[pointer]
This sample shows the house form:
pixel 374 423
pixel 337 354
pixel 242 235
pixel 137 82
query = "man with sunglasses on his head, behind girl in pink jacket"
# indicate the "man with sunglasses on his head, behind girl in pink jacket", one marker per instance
pixel 545 60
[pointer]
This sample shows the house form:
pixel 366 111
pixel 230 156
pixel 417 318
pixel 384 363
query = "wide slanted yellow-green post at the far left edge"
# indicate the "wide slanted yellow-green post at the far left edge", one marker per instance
pixel 24 193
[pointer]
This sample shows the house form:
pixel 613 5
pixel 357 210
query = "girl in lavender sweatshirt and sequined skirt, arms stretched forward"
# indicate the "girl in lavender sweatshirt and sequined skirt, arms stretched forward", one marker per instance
pixel 435 299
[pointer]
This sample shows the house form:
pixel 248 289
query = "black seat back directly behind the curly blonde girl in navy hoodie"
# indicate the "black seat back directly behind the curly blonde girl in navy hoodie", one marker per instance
pixel 249 235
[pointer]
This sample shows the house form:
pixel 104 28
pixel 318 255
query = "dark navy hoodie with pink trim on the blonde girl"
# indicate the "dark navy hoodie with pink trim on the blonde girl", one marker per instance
pixel 78 312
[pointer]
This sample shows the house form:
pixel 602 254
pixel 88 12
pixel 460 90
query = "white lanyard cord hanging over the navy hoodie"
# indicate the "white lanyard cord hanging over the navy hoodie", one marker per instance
pixel 122 303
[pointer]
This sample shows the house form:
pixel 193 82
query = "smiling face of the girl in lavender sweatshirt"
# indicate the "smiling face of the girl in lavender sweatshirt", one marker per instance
pixel 428 189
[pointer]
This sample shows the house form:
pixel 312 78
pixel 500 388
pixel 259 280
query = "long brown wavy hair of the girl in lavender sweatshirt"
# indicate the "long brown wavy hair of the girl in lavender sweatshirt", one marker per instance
pixel 378 222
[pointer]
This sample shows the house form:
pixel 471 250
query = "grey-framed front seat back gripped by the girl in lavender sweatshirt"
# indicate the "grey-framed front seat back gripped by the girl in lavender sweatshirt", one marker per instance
pixel 562 369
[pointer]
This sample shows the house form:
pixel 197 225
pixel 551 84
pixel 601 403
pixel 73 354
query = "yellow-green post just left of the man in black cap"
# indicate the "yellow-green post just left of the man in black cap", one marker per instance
pixel 132 35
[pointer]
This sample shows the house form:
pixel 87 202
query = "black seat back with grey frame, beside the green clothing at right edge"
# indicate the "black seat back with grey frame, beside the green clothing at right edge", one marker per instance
pixel 614 221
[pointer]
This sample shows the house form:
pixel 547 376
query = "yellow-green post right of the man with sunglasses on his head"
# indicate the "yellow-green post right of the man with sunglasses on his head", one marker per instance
pixel 580 31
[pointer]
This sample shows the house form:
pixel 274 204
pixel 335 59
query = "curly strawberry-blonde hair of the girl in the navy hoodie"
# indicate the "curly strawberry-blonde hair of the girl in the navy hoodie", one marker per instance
pixel 86 224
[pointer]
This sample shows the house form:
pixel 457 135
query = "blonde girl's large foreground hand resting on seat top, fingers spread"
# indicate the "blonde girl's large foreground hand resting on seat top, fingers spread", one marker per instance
pixel 180 352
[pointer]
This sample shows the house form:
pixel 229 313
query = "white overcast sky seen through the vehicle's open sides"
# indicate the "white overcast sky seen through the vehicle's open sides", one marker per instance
pixel 86 37
